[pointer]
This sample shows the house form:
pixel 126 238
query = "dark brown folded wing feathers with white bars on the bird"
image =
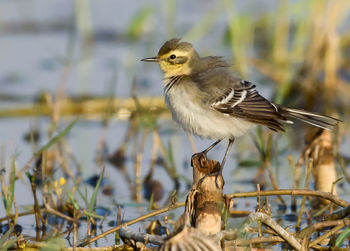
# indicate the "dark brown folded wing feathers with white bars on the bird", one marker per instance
pixel 242 100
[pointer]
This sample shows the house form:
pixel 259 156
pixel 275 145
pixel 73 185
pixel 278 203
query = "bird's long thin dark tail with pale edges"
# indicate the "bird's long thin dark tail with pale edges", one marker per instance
pixel 314 119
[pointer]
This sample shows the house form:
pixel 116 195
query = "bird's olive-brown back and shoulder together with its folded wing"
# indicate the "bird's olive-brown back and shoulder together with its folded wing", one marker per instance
pixel 223 91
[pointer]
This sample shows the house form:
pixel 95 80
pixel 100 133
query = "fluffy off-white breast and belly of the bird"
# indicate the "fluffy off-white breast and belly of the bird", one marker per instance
pixel 200 119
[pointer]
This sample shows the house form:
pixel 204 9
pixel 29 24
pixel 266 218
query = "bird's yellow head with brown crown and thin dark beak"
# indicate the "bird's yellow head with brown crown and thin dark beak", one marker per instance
pixel 175 58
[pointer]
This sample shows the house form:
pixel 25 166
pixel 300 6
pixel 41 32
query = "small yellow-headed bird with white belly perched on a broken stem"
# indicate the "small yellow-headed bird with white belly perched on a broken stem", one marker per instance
pixel 208 99
